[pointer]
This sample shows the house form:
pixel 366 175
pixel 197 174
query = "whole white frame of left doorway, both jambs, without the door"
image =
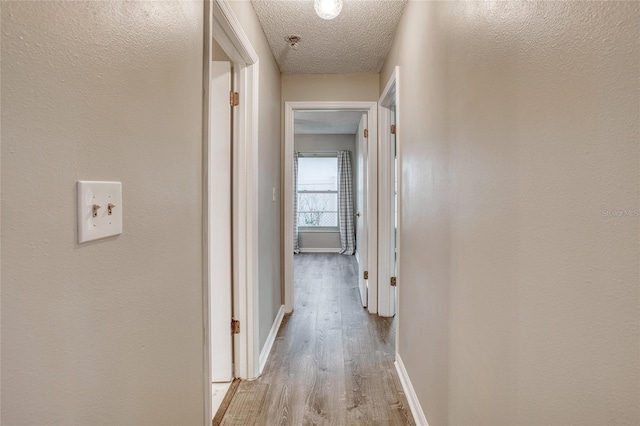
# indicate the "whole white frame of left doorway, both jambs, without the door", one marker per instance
pixel 221 24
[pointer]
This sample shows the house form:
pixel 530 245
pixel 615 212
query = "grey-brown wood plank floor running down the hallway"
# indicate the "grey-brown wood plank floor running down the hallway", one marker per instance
pixel 332 362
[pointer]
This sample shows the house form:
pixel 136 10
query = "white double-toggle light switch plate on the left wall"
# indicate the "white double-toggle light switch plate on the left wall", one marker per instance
pixel 102 224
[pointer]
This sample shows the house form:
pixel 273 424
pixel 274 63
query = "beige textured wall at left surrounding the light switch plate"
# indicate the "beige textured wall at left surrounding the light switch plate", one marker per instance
pixel 109 331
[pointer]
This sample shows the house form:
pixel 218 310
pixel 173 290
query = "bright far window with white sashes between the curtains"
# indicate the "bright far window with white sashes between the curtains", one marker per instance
pixel 318 191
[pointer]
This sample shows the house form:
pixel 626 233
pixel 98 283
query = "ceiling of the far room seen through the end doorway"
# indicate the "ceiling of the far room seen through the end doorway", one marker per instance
pixel 326 122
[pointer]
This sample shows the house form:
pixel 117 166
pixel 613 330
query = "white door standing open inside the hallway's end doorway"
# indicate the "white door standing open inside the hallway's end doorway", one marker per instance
pixel 361 208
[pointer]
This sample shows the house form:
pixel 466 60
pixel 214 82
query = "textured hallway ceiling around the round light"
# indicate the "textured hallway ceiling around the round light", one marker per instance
pixel 356 41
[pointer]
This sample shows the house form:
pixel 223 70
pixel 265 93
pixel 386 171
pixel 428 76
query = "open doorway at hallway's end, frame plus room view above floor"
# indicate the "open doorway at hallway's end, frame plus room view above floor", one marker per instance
pixel 324 142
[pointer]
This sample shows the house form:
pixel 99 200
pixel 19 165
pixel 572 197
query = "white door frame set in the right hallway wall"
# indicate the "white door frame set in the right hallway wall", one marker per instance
pixel 386 299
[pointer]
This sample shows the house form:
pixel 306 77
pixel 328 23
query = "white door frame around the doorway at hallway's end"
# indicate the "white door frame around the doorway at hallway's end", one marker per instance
pixel 371 108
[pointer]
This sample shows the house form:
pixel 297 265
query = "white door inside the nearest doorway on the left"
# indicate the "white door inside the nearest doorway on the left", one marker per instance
pixel 220 221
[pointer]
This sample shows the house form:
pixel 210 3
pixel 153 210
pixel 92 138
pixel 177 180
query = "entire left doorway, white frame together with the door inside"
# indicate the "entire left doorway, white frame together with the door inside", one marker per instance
pixel 230 141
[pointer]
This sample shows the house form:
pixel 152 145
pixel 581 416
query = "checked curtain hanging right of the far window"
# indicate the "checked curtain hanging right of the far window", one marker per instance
pixel 345 204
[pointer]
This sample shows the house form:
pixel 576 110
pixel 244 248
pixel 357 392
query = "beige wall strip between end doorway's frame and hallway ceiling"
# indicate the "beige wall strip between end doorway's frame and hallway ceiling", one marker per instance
pixel 330 87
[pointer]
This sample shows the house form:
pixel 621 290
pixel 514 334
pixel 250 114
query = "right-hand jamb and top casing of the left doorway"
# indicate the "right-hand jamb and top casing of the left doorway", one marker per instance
pixel 230 35
